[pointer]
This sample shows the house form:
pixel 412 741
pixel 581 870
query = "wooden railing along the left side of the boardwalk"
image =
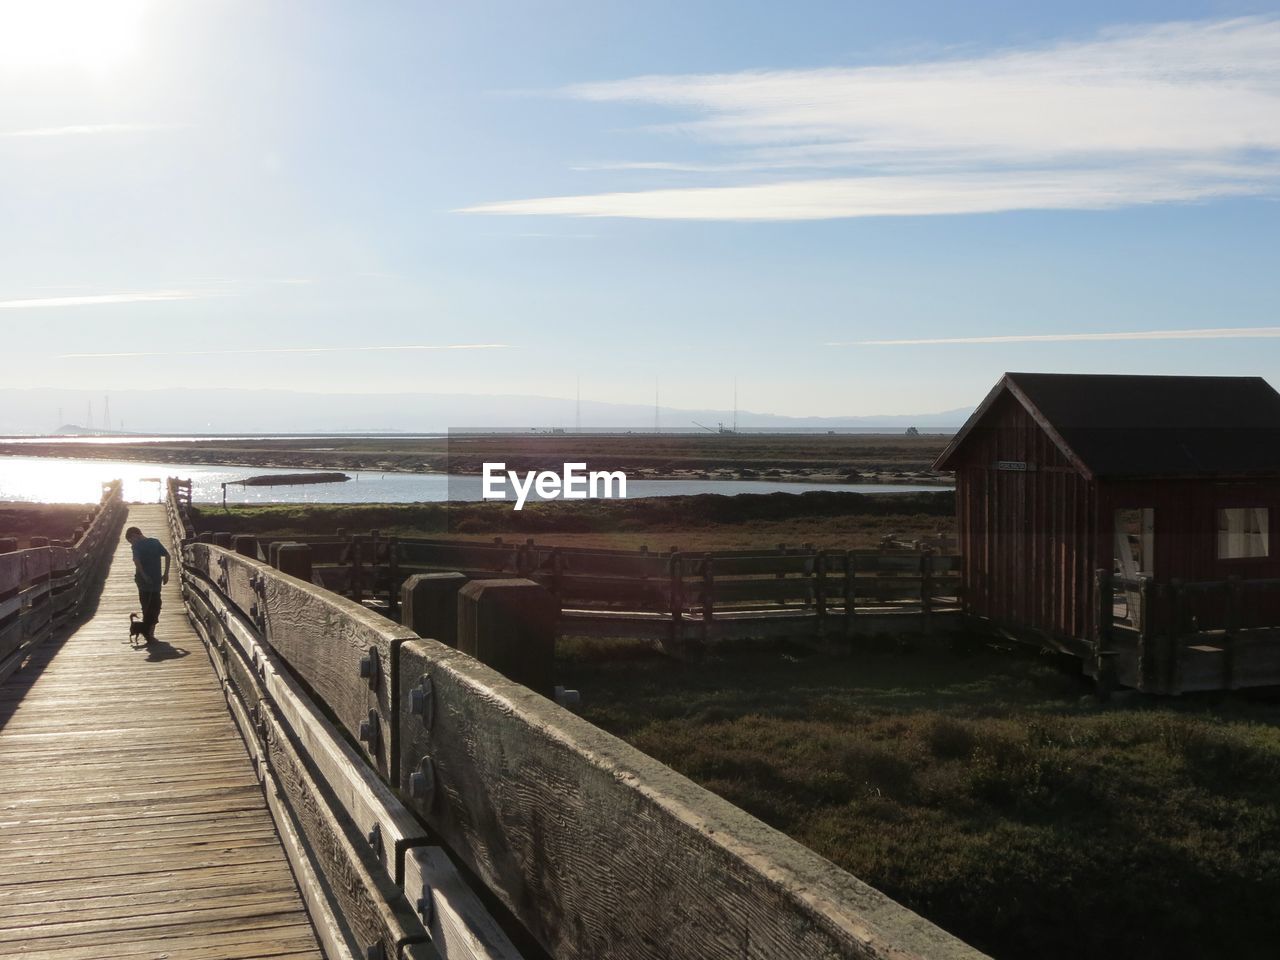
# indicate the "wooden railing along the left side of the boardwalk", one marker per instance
pixel 43 588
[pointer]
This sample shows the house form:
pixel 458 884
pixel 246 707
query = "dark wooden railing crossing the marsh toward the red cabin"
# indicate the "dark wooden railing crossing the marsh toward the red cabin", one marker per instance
pixel 679 597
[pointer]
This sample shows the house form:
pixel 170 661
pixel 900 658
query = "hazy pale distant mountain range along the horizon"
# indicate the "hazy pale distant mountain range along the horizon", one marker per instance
pixel 228 412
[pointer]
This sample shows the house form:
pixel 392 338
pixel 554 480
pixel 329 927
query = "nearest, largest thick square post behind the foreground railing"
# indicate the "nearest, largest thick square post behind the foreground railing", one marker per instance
pixel 511 627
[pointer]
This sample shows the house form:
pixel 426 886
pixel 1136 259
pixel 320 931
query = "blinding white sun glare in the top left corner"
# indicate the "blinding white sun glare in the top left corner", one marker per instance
pixel 92 35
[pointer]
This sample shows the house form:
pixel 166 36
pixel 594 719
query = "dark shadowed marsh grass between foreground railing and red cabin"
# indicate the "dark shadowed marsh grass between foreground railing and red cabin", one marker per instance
pixel 986 790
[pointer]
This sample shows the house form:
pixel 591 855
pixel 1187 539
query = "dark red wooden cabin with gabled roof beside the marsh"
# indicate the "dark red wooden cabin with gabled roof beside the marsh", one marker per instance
pixel 1171 483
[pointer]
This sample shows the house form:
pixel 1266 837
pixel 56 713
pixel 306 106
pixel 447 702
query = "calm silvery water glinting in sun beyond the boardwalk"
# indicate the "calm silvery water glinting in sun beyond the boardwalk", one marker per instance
pixel 58 481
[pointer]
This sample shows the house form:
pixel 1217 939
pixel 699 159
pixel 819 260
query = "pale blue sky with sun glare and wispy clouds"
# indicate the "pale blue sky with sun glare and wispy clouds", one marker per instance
pixel 843 208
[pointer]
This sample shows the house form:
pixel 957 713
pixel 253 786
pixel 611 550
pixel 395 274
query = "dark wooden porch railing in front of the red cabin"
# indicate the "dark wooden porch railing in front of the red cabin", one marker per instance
pixel 1178 637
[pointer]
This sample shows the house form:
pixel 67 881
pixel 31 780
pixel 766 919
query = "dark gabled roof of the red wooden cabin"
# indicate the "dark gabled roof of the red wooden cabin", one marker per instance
pixel 1150 426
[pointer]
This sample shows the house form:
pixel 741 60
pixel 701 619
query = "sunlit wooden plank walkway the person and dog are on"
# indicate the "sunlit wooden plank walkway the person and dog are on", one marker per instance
pixel 131 821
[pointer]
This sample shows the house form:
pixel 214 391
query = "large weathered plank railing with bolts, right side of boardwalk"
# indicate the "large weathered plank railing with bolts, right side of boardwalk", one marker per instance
pixel 391 756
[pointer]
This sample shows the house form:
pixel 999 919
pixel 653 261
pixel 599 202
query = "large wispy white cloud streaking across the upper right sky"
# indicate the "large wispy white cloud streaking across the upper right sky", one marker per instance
pixel 1167 113
